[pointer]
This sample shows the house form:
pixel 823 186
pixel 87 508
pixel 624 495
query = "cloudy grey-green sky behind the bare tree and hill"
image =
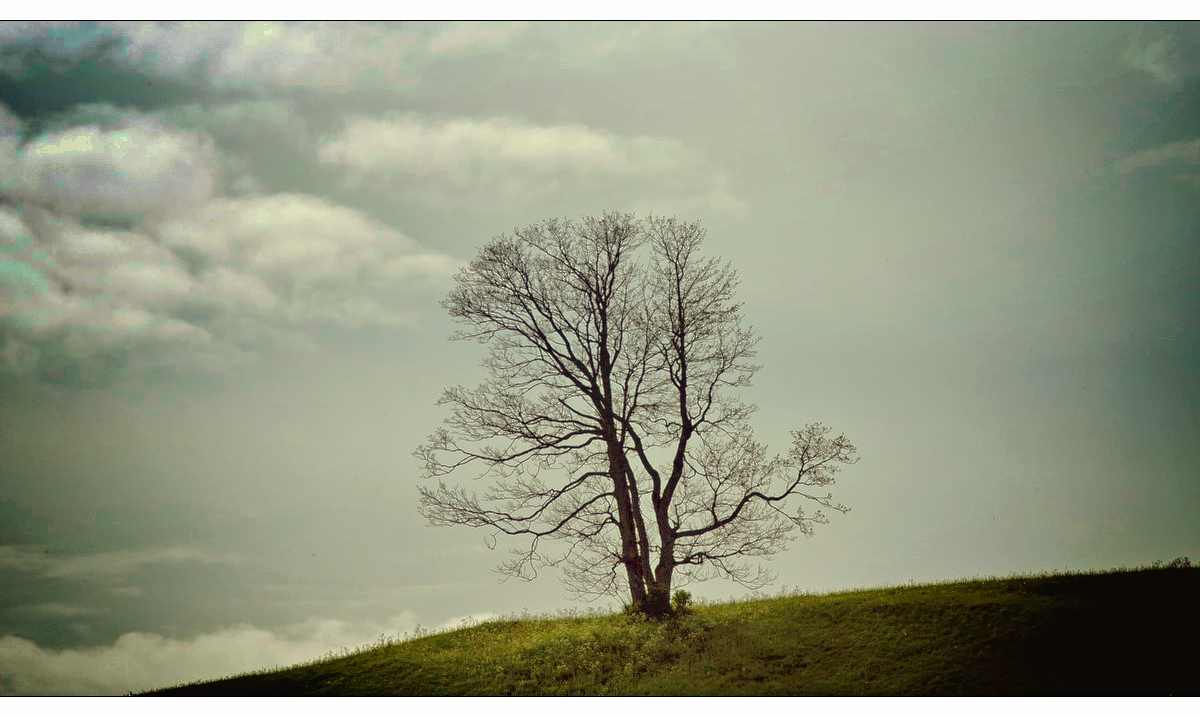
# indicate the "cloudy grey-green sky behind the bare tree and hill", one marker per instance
pixel 971 248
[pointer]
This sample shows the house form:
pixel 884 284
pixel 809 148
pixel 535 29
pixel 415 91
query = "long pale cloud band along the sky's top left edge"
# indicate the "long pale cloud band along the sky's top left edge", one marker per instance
pixel 332 57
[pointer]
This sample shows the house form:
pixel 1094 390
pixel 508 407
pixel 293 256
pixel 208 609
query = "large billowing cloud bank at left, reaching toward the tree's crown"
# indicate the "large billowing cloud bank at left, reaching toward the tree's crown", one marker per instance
pixel 119 258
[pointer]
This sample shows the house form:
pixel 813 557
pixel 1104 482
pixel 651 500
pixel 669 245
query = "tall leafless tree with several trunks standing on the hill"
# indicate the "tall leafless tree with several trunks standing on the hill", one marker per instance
pixel 607 424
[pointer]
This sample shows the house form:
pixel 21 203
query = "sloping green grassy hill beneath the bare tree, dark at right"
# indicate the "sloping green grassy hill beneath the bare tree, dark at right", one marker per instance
pixel 1114 634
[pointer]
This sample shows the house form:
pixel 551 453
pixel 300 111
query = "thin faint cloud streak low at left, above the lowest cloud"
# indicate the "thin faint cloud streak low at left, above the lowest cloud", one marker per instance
pixel 103 569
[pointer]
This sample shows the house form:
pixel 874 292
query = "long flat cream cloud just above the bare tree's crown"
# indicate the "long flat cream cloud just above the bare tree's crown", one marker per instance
pixel 467 162
